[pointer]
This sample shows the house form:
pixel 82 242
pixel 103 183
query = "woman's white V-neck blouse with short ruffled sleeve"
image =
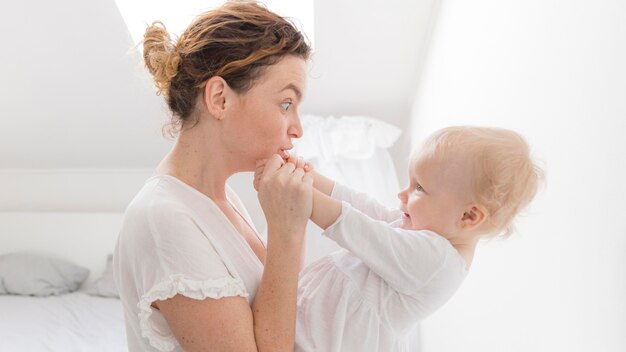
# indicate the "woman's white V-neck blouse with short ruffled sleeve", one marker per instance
pixel 175 240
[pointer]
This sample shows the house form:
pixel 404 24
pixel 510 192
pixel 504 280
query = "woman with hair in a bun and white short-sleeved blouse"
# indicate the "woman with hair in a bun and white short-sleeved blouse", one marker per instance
pixel 192 271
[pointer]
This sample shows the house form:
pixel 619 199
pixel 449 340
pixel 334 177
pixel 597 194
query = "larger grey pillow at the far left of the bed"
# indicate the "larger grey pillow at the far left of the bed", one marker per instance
pixel 37 275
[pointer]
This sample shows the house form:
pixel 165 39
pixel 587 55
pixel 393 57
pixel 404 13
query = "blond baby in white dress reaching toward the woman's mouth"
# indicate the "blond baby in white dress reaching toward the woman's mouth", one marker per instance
pixel 397 266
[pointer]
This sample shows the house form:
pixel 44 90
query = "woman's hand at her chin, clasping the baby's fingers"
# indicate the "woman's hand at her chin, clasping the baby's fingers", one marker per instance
pixel 286 196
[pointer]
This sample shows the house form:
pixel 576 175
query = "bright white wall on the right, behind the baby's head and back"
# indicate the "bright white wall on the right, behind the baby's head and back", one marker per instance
pixel 555 72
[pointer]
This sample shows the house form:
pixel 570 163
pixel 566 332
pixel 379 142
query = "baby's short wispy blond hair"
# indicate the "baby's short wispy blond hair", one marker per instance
pixel 503 176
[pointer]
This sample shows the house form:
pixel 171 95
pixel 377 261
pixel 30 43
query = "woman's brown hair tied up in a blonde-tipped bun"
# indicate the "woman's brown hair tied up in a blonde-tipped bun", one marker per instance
pixel 235 41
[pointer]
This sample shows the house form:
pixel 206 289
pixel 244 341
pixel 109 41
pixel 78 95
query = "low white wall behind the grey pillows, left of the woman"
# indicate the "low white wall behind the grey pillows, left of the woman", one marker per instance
pixel 73 214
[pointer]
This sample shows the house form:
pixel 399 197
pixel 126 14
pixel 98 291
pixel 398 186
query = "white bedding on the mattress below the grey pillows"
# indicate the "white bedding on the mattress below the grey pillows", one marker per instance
pixel 71 322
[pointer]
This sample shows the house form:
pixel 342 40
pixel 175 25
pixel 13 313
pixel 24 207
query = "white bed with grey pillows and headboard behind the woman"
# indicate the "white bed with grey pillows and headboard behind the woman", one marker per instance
pixel 85 316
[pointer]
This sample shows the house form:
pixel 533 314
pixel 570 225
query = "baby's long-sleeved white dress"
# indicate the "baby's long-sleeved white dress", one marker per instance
pixel 369 295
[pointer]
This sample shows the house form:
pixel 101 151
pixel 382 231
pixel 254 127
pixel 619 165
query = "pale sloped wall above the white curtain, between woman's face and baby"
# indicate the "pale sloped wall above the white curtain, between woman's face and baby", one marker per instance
pixel 367 61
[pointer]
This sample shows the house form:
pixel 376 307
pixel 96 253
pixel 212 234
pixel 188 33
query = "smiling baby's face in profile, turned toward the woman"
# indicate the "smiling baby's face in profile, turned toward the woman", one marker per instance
pixel 434 200
